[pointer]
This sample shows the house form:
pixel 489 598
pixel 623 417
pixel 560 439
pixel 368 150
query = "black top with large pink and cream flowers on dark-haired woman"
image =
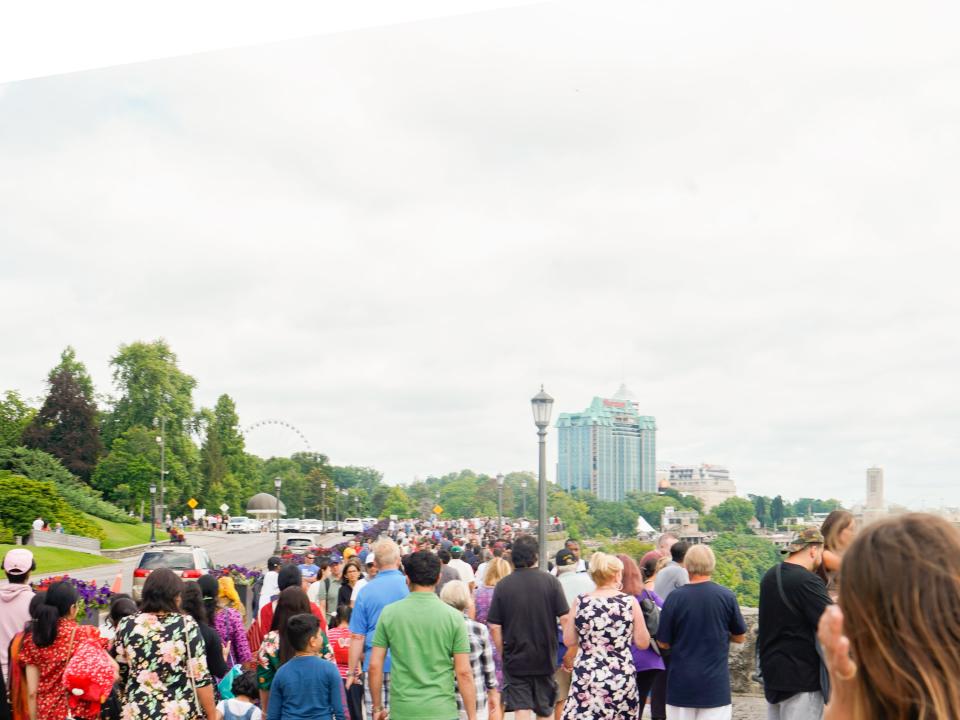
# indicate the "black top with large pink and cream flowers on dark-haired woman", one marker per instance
pixel 162 660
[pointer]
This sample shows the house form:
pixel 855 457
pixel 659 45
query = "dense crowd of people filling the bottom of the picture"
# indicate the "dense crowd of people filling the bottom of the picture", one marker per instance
pixel 460 622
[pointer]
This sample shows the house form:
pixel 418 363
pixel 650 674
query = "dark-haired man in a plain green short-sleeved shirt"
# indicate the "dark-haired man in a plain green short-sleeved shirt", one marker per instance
pixel 428 645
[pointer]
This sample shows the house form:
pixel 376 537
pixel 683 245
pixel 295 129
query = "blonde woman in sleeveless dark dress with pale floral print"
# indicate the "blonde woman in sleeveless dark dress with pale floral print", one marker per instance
pixel 604 625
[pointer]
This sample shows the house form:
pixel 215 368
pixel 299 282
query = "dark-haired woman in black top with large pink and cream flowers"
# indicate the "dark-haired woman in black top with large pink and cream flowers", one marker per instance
pixel 163 664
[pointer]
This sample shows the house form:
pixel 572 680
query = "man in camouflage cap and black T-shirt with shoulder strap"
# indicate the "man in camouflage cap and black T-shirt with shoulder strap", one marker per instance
pixel 792 599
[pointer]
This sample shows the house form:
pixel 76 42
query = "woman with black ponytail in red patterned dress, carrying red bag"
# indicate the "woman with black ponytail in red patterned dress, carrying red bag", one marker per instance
pixel 53 637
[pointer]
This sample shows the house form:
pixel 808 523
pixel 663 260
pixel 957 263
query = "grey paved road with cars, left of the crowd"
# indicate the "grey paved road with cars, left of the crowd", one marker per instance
pixel 249 550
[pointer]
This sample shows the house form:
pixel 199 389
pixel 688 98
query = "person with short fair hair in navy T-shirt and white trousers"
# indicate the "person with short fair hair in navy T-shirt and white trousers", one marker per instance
pixel 697 624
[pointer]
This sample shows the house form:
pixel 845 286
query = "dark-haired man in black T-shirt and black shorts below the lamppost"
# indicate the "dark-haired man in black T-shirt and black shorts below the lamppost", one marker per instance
pixel 523 621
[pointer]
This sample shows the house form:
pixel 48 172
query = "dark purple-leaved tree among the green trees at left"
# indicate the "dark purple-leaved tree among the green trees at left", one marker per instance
pixel 66 425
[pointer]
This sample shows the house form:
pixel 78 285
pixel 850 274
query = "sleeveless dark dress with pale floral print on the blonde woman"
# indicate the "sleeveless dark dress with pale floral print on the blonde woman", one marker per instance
pixel 604 685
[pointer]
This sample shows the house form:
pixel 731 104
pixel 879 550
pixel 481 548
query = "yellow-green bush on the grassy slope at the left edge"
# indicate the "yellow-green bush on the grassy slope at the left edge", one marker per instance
pixel 23 499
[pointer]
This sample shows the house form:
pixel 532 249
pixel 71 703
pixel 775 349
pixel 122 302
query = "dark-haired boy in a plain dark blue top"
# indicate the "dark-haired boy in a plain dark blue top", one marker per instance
pixel 306 687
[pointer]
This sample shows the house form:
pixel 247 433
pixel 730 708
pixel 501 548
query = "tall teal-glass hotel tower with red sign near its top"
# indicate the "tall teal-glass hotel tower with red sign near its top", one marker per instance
pixel 609 449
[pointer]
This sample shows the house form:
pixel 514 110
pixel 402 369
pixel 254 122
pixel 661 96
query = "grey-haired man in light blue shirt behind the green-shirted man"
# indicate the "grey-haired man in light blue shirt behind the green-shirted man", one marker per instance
pixel 387 587
